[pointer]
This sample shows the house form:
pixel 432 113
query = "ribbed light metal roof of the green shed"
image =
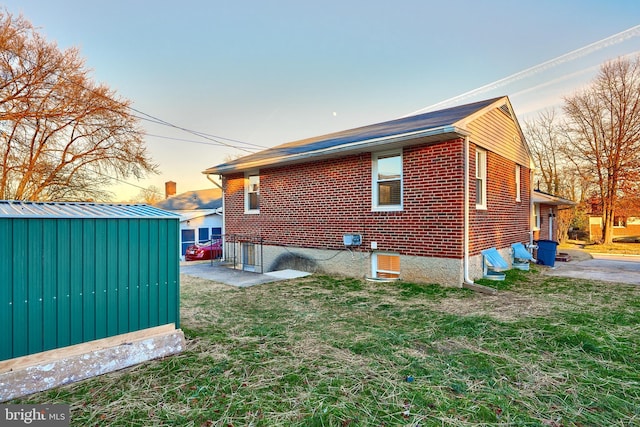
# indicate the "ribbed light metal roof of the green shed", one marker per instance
pixel 23 209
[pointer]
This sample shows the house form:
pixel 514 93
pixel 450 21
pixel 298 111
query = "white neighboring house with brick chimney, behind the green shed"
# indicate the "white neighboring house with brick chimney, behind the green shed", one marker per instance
pixel 200 214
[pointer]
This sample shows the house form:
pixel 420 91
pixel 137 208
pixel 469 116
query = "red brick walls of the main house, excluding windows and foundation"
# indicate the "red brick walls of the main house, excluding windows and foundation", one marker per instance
pixel 314 204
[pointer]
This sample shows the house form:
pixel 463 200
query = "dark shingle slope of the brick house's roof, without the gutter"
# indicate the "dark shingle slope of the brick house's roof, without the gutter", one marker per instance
pixel 434 120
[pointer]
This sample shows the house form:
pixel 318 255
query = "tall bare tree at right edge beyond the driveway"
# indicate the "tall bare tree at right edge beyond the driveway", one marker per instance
pixel 603 129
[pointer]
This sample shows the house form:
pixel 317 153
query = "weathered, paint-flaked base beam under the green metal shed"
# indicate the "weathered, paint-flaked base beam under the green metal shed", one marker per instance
pixel 54 368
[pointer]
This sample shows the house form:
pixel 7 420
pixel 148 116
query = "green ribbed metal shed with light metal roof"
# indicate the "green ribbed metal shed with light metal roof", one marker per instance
pixel 72 273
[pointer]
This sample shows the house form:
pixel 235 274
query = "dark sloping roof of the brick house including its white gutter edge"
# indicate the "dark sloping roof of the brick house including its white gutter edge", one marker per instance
pixel 439 124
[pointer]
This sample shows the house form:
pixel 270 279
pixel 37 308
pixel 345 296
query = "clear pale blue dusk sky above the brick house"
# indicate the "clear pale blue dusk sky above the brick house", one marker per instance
pixel 261 73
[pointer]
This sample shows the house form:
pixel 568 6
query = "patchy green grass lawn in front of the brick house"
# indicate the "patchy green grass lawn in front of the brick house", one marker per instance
pixel 323 351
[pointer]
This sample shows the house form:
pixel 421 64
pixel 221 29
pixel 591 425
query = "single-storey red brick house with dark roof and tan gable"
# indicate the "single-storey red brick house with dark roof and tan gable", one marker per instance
pixel 415 198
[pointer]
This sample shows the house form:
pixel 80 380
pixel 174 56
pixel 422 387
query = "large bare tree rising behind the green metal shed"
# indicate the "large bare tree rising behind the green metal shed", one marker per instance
pixel 63 136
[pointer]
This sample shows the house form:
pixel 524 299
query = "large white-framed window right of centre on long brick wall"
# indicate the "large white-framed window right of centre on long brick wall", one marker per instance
pixel 387 181
